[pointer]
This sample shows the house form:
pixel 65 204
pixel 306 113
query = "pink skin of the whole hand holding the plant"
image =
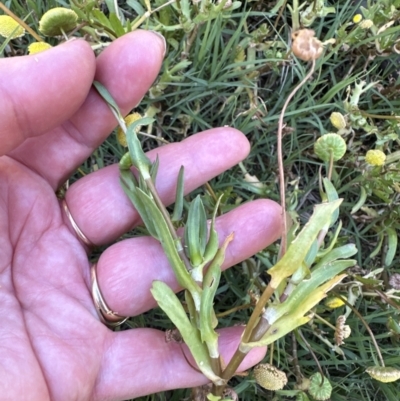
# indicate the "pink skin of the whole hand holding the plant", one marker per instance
pixel 52 344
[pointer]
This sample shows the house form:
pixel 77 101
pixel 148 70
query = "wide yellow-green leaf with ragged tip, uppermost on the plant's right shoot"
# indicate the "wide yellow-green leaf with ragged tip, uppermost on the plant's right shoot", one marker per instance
pixel 301 244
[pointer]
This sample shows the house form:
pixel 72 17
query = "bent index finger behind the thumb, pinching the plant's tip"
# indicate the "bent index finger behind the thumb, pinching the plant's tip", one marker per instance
pixel 127 68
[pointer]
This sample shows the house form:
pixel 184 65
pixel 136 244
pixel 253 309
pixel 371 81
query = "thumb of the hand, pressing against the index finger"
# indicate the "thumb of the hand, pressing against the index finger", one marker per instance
pixel 39 92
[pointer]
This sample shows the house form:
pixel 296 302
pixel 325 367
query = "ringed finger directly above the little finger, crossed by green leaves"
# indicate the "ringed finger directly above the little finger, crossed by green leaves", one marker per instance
pixel 125 265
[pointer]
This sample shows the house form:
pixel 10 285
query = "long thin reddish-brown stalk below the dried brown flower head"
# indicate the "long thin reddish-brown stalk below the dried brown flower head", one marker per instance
pixel 280 160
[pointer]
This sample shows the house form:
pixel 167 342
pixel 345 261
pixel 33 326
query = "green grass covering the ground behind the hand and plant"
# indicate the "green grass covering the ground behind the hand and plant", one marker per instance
pixel 224 81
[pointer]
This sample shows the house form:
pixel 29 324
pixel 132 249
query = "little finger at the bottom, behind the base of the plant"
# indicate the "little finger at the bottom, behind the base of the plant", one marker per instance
pixel 155 365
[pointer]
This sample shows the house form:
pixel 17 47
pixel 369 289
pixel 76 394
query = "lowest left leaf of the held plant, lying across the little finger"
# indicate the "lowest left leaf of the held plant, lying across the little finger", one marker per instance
pixel 171 305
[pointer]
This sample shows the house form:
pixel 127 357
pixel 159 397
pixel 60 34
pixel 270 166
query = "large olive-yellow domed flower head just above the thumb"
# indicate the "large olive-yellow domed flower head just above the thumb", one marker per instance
pixel 58 21
